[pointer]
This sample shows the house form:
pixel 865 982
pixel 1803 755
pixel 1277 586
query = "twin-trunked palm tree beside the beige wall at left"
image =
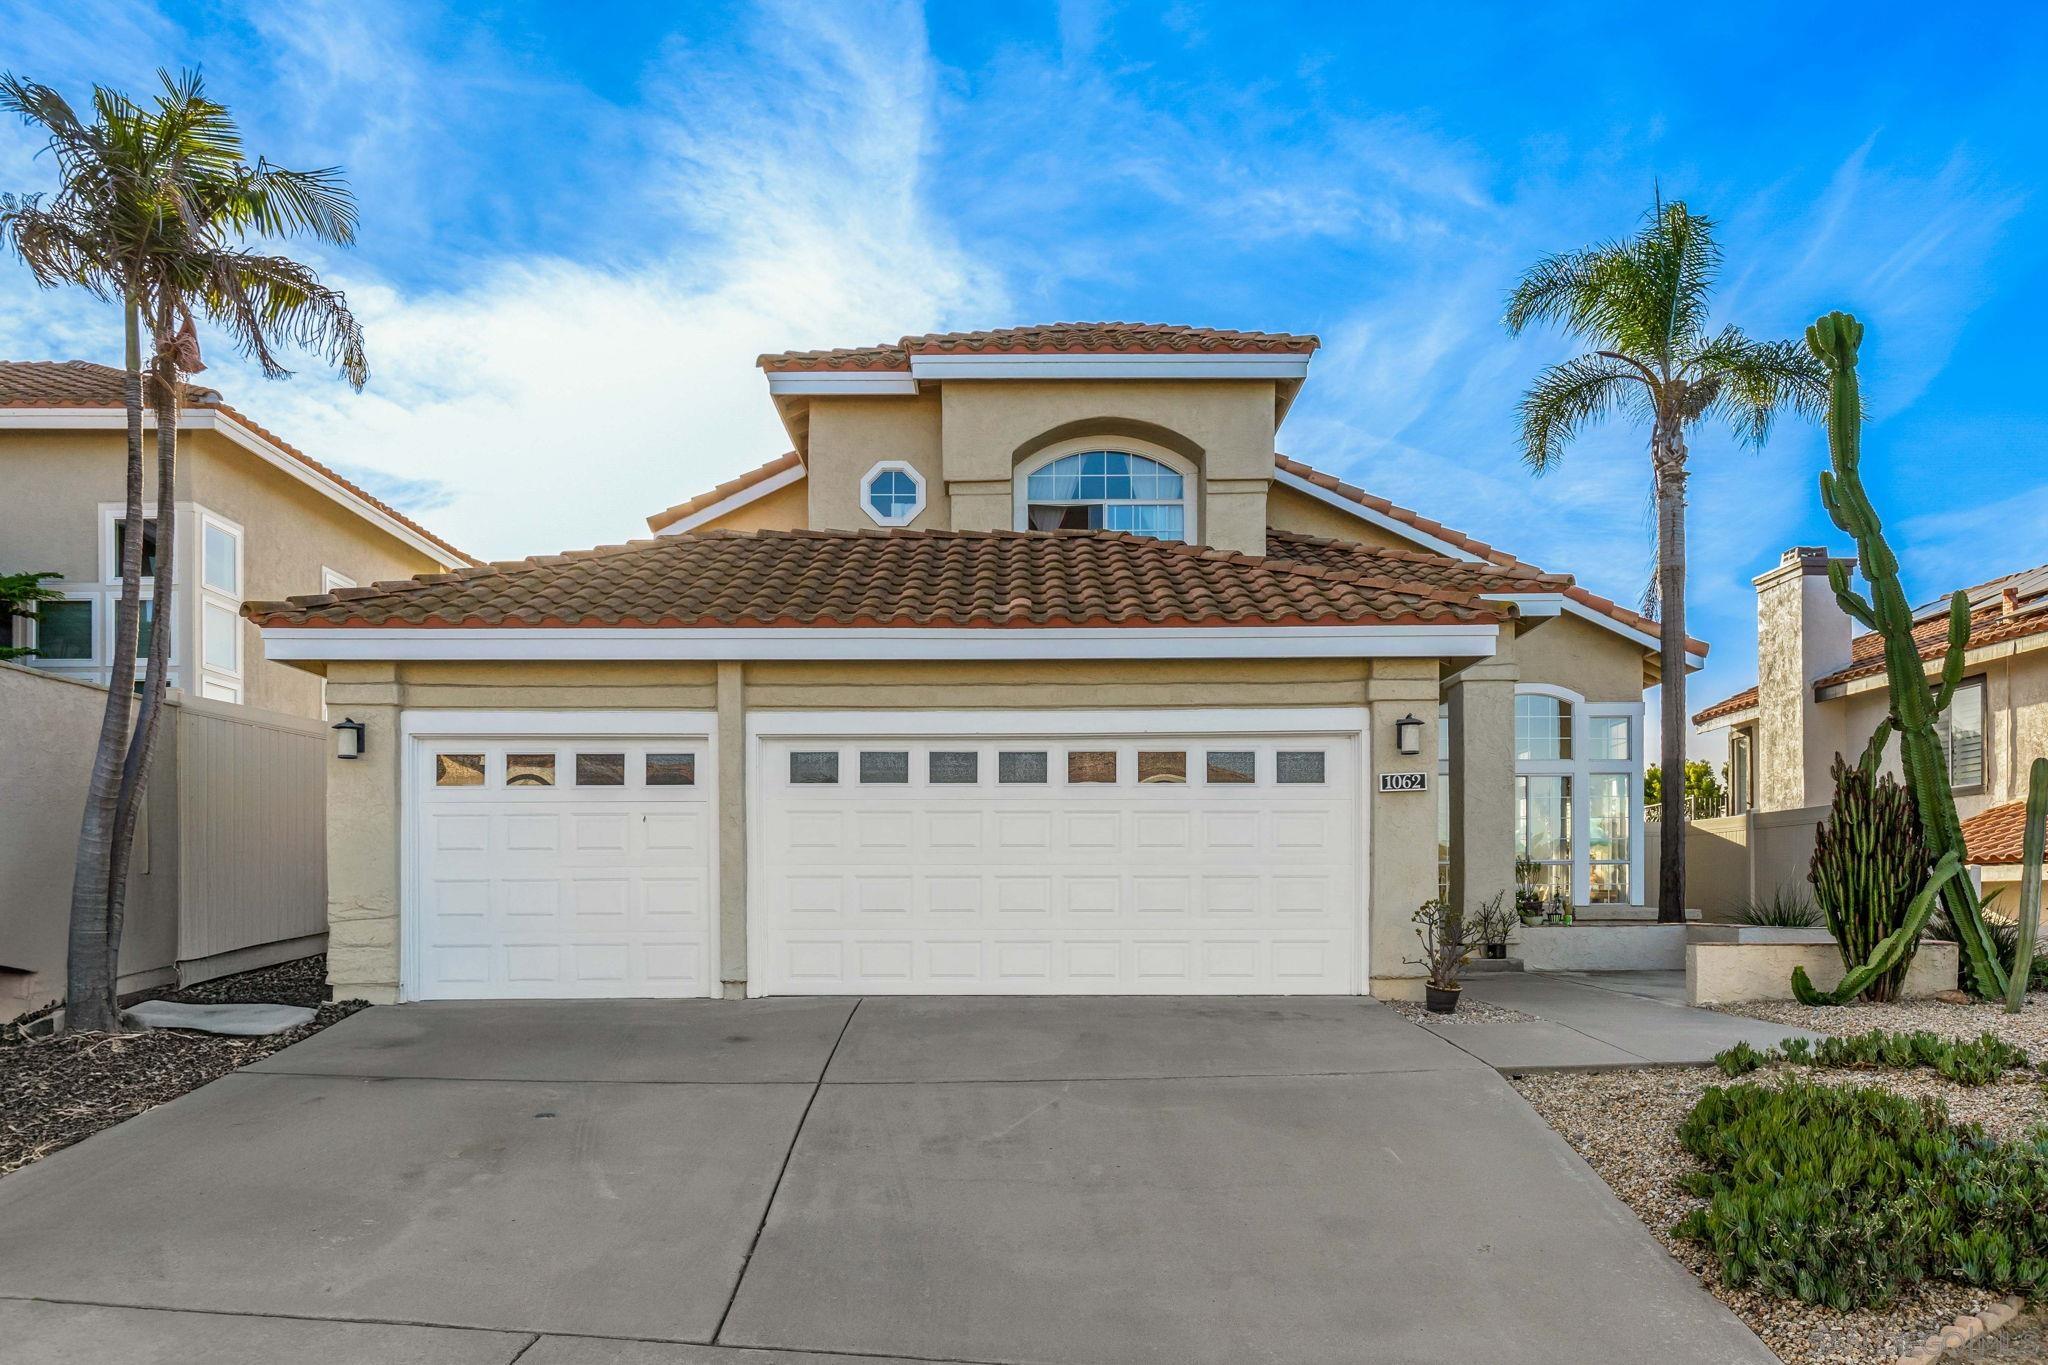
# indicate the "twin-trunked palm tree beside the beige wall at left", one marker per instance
pixel 153 212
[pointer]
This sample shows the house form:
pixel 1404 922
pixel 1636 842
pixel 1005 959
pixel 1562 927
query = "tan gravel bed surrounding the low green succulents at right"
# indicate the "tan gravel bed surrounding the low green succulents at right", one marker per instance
pixel 1623 1122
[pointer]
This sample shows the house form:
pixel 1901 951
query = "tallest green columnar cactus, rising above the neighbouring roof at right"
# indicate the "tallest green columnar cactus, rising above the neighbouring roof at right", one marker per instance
pixel 1914 705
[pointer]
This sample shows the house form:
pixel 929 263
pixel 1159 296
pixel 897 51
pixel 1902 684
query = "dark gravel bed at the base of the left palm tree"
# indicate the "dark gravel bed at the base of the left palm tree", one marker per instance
pixel 56 1092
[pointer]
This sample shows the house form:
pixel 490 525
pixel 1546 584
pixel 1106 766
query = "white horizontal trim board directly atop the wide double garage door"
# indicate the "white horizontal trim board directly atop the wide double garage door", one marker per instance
pixel 1033 723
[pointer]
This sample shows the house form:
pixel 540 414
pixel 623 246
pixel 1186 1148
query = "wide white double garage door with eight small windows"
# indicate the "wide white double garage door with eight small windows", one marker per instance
pixel 1058 865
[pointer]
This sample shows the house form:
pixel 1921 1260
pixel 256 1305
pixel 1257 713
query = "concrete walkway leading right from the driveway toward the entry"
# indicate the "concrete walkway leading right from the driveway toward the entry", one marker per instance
pixel 1601 1022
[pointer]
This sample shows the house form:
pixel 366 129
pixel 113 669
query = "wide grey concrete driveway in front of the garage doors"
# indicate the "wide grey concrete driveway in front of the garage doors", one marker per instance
pixel 730 1184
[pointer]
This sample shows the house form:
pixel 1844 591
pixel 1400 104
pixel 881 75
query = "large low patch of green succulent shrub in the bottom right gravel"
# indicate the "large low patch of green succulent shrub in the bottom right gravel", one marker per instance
pixel 1848 1196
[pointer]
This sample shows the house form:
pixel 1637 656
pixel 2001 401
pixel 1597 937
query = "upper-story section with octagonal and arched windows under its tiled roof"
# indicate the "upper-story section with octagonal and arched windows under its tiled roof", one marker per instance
pixel 1117 427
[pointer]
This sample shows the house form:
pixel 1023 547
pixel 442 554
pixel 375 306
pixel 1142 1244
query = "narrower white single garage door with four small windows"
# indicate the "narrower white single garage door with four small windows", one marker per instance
pixel 560 867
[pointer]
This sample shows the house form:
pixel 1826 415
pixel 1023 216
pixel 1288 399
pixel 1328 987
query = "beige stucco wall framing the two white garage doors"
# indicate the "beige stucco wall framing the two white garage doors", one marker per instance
pixel 366 805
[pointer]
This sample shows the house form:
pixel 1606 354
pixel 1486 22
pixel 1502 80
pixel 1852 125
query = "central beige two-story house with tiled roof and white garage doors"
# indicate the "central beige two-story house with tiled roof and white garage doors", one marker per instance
pixel 1031 668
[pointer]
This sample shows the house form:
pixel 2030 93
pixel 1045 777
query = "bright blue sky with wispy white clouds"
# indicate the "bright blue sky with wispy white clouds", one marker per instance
pixel 585 222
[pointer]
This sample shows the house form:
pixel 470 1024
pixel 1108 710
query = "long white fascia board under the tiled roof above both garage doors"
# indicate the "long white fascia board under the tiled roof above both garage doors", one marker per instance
pixel 347 644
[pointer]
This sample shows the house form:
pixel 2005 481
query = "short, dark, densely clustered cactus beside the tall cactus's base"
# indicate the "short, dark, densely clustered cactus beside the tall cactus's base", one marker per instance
pixel 1869 863
